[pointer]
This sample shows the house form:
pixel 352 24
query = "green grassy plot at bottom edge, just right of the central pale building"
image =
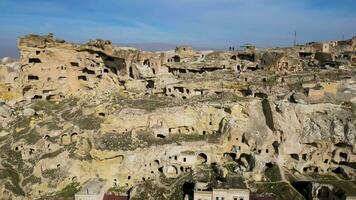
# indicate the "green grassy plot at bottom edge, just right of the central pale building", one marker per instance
pixel 281 190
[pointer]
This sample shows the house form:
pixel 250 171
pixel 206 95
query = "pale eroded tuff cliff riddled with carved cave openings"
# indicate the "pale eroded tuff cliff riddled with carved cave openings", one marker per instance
pixel 72 113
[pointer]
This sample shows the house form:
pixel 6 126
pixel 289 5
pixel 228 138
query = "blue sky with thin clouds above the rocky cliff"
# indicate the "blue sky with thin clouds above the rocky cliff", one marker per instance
pixel 202 23
